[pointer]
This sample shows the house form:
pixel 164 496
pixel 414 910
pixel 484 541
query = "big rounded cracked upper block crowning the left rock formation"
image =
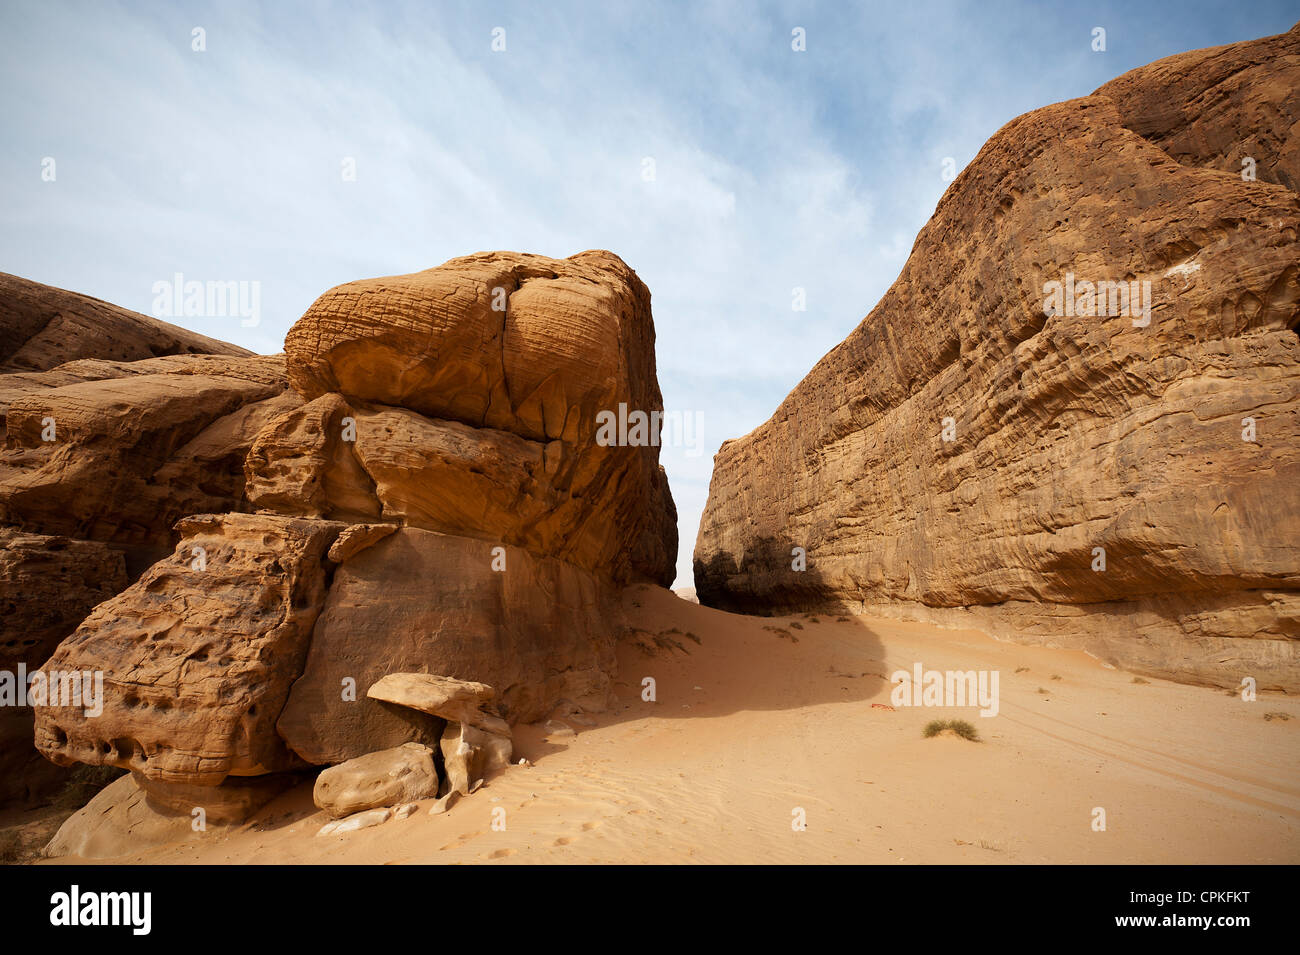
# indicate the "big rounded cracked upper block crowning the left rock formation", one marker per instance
pixel 504 364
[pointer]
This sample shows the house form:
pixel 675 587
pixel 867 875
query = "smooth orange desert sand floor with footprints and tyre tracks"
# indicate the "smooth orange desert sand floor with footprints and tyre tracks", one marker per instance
pixel 749 726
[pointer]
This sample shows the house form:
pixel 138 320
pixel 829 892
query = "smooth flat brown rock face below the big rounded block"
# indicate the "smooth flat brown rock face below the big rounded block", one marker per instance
pixel 432 604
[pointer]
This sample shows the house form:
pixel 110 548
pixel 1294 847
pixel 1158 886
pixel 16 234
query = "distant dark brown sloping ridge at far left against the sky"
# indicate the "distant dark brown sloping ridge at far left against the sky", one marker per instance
pixel 42 327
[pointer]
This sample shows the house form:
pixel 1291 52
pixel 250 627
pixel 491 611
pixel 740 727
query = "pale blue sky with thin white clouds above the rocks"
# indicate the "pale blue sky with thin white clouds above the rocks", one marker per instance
pixel 310 145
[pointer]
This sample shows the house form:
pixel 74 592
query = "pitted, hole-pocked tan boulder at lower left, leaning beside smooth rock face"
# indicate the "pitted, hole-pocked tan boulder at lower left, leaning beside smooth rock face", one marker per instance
pixel 198 657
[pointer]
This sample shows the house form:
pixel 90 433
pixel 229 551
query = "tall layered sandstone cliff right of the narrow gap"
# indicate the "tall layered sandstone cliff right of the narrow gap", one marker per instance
pixel 967 452
